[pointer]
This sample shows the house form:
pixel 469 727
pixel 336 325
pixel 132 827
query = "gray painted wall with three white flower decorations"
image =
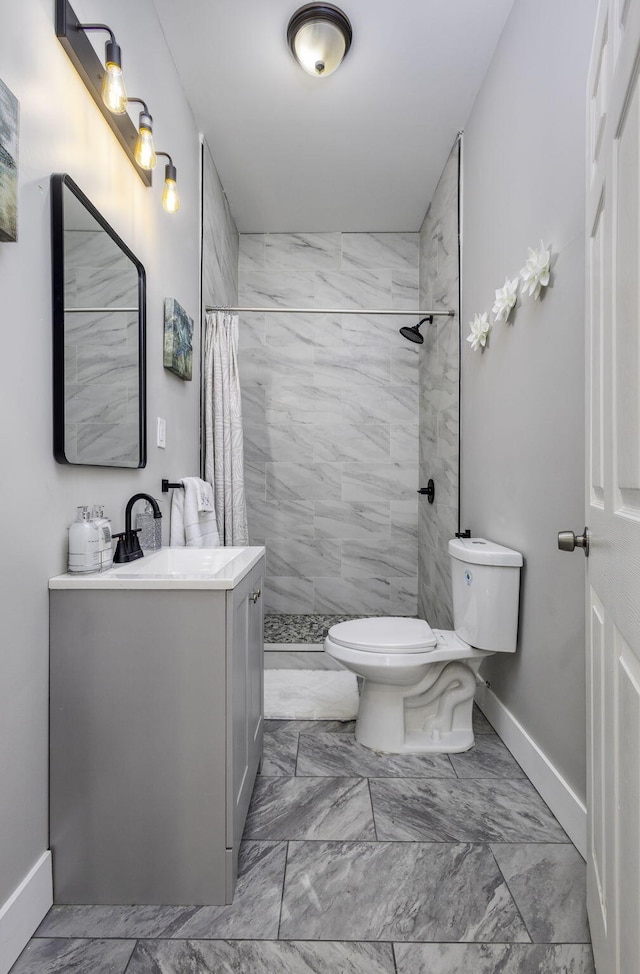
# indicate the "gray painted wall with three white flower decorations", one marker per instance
pixel 522 469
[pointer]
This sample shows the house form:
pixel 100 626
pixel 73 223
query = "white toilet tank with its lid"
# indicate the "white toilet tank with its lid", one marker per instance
pixel 486 593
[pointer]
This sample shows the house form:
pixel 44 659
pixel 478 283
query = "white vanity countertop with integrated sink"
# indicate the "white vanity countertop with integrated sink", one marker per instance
pixel 170 568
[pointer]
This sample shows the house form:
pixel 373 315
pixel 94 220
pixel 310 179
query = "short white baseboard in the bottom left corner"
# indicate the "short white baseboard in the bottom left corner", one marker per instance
pixel 23 911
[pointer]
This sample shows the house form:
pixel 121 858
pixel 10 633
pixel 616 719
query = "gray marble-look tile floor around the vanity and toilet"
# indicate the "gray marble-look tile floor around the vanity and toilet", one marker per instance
pixel 355 862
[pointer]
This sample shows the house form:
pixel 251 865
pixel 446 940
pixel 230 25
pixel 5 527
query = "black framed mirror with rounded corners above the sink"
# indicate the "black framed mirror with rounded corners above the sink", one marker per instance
pixel 99 337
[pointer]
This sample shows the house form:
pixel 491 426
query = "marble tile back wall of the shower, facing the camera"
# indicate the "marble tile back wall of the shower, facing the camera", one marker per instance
pixel 330 407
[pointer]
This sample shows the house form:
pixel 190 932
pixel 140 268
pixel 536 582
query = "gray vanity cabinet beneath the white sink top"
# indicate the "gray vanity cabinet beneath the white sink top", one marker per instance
pixel 155 739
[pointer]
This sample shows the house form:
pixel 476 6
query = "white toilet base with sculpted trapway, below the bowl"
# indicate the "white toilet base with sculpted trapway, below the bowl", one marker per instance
pixel 434 717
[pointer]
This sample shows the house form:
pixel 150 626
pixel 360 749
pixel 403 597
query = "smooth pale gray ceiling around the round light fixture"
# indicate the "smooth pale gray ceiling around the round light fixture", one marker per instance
pixel 361 150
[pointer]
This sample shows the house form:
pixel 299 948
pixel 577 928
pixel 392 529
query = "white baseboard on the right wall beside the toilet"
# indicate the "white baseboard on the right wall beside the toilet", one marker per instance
pixel 570 811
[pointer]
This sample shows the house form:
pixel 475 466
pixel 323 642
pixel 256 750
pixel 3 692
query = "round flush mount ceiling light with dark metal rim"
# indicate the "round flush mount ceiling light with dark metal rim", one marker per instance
pixel 319 36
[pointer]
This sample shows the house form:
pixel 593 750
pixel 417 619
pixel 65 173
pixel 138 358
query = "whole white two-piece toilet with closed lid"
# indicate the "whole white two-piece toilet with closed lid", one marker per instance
pixel 419 682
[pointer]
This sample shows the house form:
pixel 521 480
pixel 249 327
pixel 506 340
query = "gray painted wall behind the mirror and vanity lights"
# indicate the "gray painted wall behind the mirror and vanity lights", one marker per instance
pixel 62 131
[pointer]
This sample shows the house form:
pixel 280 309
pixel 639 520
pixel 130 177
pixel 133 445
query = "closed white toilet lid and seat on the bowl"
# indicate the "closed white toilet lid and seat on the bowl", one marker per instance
pixel 384 635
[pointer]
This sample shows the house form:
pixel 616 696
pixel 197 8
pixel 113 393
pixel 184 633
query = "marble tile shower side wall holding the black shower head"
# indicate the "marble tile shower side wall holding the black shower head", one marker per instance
pixel 439 397
